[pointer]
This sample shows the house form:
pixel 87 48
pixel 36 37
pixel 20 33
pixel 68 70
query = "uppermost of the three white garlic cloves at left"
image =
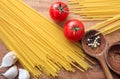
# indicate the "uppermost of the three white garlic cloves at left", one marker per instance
pixel 8 60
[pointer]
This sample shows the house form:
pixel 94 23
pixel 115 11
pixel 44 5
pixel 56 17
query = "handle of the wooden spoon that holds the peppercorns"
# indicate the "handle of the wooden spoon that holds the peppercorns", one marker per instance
pixel 105 68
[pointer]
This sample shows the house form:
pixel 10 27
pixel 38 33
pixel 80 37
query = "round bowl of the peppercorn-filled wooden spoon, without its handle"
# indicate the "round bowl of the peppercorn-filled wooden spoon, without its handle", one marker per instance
pixel 99 49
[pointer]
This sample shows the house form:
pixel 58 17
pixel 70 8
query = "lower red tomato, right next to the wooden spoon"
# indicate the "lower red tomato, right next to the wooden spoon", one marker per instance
pixel 74 30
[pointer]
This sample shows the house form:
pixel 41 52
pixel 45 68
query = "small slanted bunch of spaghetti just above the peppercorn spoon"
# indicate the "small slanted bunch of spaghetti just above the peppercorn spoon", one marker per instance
pixel 107 26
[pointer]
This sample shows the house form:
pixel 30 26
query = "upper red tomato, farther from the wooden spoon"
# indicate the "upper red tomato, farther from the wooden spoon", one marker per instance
pixel 59 11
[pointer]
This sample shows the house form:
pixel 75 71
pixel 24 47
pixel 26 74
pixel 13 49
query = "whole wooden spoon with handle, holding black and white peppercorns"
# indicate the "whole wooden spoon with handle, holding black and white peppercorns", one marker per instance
pixel 98 52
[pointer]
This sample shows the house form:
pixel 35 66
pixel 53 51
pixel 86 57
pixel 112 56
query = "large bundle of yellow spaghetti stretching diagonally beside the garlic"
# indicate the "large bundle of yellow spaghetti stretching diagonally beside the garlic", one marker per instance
pixel 39 43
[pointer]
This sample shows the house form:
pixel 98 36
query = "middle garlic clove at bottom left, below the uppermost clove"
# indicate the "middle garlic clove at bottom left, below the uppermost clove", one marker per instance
pixel 11 73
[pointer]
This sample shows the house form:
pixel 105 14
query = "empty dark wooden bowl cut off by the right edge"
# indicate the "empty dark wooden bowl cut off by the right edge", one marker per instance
pixel 113 57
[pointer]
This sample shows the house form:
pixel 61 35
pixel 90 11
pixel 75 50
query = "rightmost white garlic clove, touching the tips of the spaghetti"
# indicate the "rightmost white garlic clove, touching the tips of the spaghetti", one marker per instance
pixel 23 74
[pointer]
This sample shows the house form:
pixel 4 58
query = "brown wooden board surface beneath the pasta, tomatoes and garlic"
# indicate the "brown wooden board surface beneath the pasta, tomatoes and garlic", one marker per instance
pixel 96 72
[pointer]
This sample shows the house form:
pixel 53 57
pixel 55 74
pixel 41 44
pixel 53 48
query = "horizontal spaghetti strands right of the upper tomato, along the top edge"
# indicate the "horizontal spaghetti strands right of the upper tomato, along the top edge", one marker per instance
pixel 95 9
